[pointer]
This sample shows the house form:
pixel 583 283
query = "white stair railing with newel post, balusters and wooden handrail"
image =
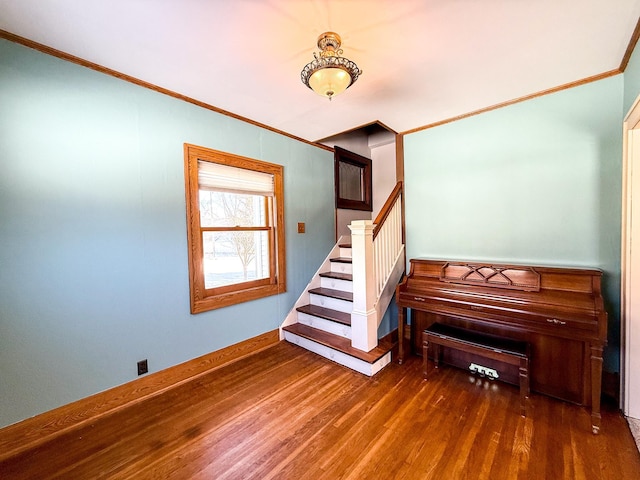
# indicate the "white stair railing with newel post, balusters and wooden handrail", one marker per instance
pixel 377 250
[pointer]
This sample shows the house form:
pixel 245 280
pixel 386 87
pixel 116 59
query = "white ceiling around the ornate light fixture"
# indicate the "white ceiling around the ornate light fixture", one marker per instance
pixel 423 61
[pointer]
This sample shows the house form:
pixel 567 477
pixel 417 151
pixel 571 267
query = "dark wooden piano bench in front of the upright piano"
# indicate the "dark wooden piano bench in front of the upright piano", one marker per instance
pixel 512 352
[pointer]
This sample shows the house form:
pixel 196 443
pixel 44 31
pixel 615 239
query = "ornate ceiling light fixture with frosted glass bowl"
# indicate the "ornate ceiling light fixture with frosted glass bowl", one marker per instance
pixel 329 74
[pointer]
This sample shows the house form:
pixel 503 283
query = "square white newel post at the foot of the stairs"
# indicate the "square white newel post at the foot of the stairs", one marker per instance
pixel 364 322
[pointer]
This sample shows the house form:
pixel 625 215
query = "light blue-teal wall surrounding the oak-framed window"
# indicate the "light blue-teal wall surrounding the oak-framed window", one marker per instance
pixel 93 254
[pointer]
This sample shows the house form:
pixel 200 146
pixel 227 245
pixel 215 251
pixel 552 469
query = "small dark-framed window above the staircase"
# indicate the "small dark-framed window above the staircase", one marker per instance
pixel 353 180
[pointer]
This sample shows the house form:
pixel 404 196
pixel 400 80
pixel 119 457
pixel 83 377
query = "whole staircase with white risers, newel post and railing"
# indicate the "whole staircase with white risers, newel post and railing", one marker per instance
pixel 338 314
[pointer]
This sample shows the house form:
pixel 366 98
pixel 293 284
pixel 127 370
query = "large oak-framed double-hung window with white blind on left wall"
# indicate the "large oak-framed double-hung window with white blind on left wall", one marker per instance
pixel 235 228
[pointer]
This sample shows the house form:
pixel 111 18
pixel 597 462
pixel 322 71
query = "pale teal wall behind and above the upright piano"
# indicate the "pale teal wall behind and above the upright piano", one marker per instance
pixel 537 182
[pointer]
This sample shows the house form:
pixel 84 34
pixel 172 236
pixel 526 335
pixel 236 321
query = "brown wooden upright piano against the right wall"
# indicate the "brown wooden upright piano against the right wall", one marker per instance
pixel 558 311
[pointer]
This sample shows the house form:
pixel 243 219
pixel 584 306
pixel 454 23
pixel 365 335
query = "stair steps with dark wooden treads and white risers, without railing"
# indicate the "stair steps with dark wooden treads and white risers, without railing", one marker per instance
pixel 324 324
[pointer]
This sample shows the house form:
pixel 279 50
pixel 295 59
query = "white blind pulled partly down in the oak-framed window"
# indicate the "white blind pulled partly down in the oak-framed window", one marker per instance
pixel 223 178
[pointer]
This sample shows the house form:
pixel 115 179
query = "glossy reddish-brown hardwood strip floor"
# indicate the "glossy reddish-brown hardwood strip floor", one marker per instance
pixel 289 414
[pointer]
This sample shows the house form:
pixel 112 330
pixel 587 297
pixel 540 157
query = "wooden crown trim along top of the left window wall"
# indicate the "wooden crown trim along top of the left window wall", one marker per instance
pixel 141 83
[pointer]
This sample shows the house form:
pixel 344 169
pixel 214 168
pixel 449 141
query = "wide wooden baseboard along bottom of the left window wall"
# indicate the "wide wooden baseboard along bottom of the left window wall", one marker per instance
pixel 28 434
